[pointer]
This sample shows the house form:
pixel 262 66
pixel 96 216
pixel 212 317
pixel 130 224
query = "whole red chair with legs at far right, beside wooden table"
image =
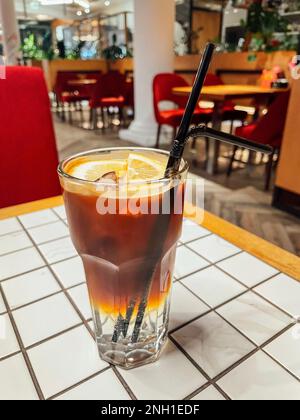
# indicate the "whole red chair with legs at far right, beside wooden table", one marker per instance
pixel 268 130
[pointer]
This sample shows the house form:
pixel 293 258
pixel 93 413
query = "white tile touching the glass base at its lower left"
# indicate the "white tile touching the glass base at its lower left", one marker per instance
pixel 65 360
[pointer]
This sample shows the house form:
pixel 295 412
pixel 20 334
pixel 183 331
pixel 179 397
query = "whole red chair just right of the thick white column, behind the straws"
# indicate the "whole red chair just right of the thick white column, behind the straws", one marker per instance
pixel 163 86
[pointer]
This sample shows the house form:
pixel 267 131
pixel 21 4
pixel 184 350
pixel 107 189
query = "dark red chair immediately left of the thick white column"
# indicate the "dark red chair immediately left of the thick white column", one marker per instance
pixel 110 92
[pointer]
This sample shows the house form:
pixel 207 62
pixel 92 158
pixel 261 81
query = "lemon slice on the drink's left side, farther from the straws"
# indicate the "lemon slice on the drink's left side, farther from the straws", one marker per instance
pixel 93 170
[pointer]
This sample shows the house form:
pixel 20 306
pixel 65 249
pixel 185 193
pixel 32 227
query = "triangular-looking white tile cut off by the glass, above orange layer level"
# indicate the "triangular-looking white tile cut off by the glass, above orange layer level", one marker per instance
pixel 187 262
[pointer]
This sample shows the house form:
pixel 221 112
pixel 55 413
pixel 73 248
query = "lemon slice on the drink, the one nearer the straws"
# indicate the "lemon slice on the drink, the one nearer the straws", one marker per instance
pixel 144 168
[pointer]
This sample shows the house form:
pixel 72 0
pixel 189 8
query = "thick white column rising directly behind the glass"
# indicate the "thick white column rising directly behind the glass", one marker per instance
pixel 153 54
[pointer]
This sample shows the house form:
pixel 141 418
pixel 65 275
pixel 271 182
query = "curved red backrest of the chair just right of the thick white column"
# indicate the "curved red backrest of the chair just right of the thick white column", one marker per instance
pixel 163 85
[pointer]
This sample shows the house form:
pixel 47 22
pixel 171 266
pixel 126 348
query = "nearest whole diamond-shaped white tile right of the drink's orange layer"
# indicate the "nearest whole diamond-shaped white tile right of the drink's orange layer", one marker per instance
pixel 213 286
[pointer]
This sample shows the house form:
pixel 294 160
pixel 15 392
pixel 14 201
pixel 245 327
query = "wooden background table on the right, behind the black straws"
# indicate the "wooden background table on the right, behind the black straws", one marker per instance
pixel 220 94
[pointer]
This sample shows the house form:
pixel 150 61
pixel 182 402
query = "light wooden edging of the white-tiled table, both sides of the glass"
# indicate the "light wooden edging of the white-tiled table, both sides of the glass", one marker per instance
pixel 280 259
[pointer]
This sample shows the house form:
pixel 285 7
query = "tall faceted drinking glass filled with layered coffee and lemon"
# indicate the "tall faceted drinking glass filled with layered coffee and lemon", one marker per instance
pixel 125 220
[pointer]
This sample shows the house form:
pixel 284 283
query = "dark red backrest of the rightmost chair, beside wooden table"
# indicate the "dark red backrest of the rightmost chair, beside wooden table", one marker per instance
pixel 269 128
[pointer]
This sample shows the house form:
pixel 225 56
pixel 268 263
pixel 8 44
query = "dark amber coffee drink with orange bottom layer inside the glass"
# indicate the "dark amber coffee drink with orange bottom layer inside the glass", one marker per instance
pixel 121 251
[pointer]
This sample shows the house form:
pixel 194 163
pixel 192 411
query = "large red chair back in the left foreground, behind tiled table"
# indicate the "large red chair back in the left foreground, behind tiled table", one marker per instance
pixel 28 148
